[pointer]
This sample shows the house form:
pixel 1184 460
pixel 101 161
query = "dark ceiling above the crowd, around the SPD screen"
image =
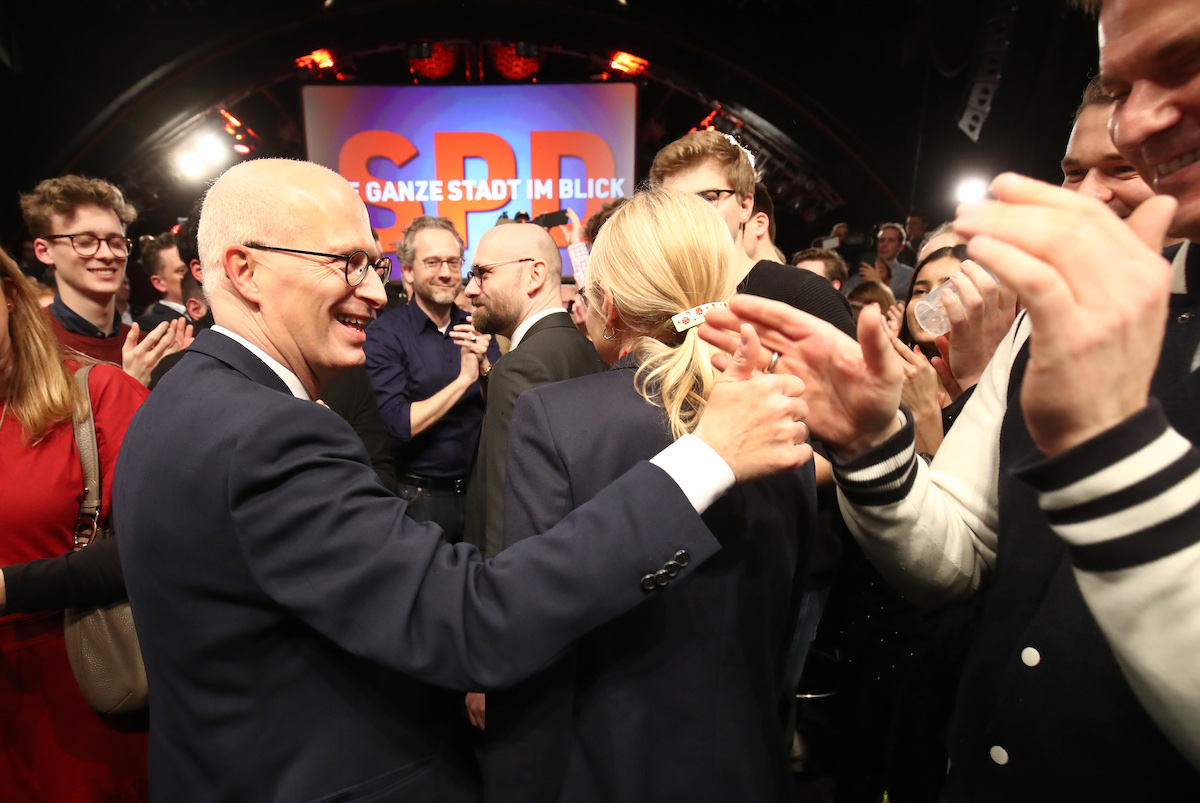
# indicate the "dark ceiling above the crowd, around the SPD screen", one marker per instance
pixel 861 98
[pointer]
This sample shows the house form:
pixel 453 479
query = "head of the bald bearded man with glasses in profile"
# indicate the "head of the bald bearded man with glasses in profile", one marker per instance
pixel 497 293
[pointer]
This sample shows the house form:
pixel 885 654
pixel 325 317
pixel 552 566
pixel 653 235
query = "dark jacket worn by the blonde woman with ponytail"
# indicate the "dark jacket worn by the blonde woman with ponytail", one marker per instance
pixel 676 700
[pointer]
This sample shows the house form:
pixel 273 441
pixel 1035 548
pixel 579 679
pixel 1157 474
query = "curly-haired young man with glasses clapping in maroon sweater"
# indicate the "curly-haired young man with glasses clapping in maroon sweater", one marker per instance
pixel 79 229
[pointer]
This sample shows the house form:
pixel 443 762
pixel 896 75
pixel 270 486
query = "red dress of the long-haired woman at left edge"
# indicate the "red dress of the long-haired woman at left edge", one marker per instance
pixel 53 747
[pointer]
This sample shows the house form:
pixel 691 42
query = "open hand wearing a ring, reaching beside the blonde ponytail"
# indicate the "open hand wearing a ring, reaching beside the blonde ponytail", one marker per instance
pixel 853 389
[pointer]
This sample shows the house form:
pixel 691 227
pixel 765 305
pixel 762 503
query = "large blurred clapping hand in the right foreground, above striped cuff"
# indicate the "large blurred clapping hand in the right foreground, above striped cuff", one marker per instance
pixel 1096 290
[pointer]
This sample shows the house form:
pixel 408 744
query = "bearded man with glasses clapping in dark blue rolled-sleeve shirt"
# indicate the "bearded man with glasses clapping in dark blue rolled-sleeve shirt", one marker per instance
pixel 427 363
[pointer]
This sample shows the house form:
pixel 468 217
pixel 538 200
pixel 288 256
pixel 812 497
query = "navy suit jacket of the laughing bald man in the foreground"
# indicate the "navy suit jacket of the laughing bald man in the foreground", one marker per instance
pixel 291 616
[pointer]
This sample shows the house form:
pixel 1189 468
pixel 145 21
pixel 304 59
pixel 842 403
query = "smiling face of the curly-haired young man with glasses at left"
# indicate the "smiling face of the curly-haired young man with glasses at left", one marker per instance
pixel 95 278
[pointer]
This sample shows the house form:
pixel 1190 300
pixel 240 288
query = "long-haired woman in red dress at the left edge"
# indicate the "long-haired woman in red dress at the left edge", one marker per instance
pixel 53 747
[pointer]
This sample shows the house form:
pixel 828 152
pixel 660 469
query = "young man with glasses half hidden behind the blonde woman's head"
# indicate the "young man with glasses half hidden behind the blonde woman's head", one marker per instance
pixel 718 170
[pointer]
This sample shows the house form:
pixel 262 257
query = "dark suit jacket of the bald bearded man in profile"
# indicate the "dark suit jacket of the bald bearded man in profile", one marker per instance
pixel 553 351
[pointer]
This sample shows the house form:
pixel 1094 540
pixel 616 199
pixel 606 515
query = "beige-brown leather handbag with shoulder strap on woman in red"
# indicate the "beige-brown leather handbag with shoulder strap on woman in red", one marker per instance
pixel 103 645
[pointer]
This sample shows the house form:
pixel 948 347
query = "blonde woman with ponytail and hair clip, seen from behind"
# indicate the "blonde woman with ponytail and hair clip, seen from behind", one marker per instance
pixel 679 699
